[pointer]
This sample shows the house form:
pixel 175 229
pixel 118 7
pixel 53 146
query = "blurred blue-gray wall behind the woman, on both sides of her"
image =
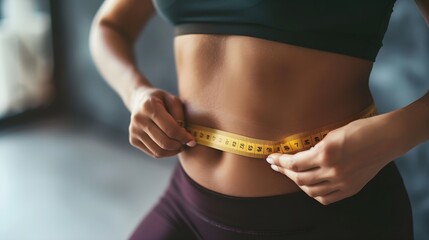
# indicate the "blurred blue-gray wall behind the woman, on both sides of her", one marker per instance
pixel 400 76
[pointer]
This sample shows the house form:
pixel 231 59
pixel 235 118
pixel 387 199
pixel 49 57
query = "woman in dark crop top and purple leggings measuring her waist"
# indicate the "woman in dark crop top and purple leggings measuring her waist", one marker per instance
pixel 266 70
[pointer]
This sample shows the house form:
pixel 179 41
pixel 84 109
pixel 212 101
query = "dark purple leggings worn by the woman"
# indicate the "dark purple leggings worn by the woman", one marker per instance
pixel 187 210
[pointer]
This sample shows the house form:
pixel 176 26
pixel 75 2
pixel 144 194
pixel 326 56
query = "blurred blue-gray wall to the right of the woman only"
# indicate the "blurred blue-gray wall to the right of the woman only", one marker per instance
pixel 401 75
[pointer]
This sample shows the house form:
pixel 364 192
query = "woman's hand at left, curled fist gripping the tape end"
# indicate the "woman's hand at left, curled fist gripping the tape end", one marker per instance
pixel 154 126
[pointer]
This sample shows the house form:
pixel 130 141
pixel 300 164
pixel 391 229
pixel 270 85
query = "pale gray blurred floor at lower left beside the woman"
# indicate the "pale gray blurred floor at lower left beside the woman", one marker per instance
pixel 65 182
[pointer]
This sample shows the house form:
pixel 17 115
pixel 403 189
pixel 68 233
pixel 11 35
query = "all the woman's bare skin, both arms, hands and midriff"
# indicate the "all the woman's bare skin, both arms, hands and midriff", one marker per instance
pixel 261 89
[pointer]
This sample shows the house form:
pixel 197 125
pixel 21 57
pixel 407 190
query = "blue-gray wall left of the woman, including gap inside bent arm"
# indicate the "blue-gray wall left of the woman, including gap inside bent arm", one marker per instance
pixel 86 94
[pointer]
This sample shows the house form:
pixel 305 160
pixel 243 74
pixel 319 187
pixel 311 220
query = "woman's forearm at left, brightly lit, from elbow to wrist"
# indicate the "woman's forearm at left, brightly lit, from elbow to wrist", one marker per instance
pixel 114 57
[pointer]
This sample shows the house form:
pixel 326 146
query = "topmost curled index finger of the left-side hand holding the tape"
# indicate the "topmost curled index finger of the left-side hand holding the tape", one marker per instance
pixel 170 127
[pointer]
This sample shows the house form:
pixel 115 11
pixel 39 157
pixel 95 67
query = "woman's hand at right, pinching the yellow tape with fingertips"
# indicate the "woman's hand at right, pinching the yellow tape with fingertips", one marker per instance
pixel 342 163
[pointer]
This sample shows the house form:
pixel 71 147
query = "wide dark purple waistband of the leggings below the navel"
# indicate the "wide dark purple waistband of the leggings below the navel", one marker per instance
pixel 292 209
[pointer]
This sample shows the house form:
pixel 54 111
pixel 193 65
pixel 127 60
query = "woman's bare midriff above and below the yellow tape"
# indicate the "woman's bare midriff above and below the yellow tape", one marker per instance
pixel 260 89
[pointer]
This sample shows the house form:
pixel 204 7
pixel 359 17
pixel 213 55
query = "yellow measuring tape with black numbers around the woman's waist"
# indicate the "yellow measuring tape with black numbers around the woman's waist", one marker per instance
pixel 257 148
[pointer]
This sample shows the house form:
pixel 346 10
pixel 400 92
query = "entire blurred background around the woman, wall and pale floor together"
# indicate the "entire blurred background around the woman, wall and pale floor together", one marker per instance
pixel 66 168
